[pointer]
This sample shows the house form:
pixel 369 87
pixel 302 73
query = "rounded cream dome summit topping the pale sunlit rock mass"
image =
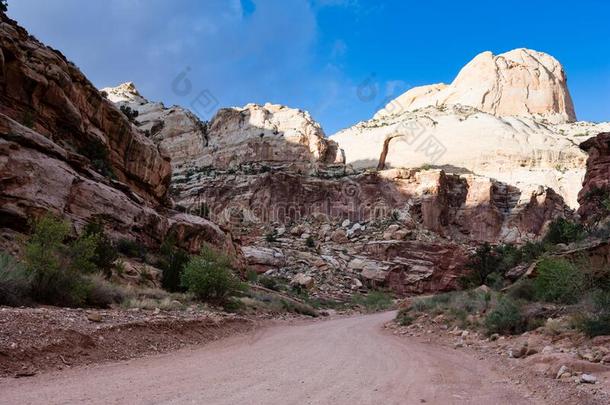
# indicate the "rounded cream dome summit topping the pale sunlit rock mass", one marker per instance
pixel 521 82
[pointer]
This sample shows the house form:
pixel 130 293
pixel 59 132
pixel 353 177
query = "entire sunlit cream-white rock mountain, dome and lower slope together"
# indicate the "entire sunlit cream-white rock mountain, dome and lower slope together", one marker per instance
pixel 507 117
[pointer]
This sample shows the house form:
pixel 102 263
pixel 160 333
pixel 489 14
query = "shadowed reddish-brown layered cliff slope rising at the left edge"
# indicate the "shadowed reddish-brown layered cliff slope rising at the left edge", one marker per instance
pixel 65 149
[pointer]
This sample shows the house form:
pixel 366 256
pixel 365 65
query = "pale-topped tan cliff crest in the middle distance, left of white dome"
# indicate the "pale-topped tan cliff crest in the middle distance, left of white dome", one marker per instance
pixel 269 135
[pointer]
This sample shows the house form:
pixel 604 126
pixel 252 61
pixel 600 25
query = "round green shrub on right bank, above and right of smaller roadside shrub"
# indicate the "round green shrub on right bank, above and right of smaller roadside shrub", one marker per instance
pixel 558 280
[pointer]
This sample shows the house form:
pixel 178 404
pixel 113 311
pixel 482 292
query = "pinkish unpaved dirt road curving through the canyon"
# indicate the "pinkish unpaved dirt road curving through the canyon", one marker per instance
pixel 341 361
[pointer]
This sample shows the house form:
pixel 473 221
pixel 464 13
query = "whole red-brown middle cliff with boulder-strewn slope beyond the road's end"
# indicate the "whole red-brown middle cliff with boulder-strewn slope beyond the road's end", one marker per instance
pixel 301 214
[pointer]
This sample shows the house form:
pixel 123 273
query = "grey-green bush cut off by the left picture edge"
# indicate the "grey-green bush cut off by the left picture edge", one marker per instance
pixel 14 282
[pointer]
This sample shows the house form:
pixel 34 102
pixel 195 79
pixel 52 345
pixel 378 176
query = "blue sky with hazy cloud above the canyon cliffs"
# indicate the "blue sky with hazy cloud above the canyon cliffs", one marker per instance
pixel 338 59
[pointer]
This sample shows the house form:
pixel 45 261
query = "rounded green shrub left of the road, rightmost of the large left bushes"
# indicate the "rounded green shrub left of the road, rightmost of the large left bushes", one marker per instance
pixel 209 277
